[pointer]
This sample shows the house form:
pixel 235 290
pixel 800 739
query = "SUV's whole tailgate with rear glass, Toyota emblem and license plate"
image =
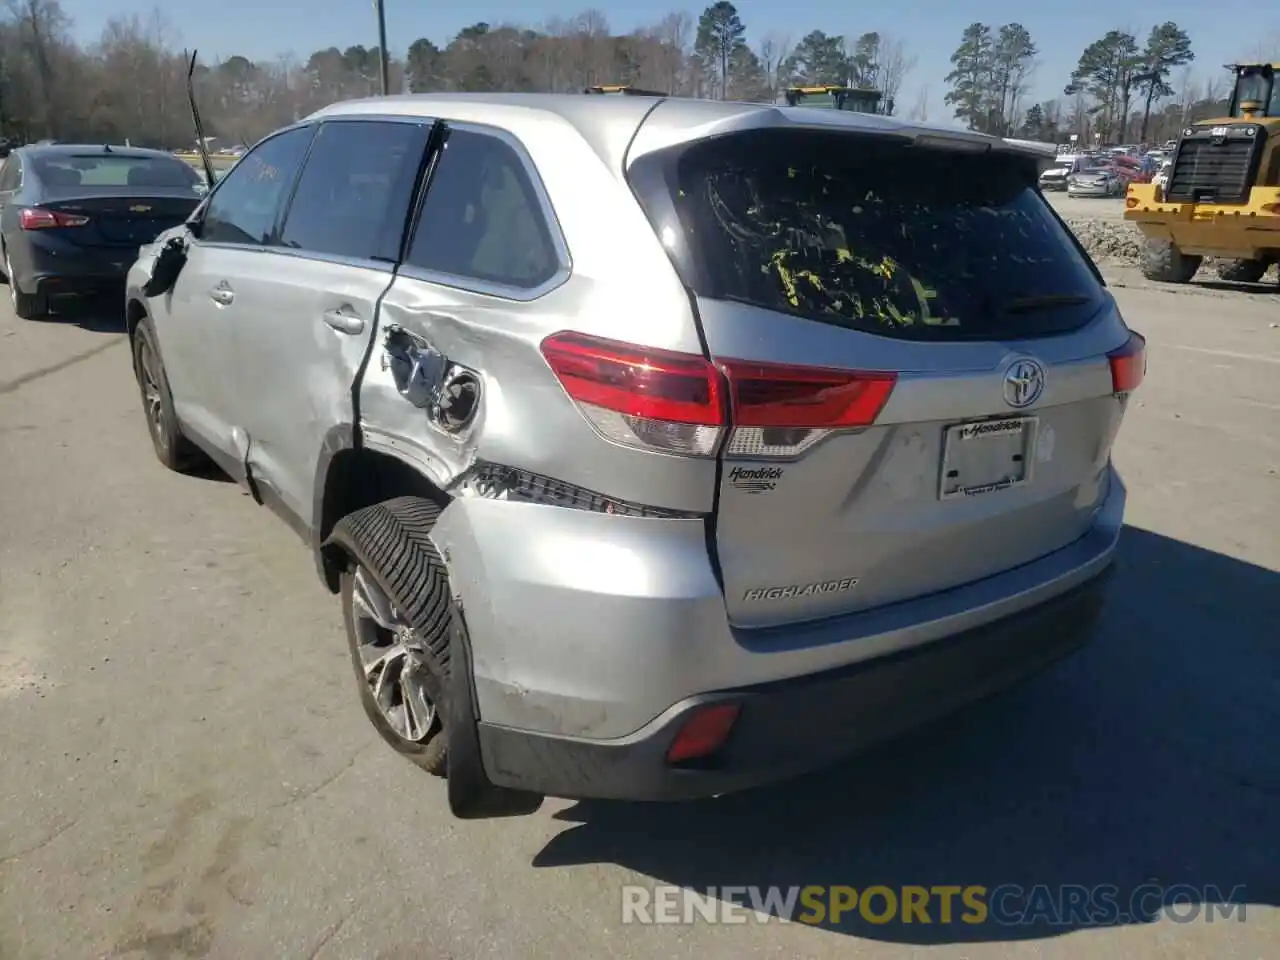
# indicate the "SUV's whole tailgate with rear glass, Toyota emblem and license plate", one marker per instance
pixel 926 372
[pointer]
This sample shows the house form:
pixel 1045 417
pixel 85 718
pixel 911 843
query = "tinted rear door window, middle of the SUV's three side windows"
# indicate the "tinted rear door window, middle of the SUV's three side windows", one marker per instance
pixel 356 189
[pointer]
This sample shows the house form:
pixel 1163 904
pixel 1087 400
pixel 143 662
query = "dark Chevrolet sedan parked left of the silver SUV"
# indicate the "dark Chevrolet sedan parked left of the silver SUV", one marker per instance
pixel 72 218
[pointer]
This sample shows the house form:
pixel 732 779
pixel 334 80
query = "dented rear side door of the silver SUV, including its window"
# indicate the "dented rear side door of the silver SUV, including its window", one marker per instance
pixel 317 298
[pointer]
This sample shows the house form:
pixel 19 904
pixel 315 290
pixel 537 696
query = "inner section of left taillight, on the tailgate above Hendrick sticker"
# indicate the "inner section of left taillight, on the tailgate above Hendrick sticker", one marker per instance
pixel 781 412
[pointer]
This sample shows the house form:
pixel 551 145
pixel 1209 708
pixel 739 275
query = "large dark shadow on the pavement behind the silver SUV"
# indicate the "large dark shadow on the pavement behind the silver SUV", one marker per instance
pixel 1149 758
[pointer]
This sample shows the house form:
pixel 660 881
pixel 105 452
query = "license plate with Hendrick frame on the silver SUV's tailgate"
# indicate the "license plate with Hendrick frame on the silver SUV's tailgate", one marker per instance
pixel 988 456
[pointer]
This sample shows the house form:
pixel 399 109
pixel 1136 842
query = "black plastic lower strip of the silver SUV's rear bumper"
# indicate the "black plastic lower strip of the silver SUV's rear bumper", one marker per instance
pixel 797 726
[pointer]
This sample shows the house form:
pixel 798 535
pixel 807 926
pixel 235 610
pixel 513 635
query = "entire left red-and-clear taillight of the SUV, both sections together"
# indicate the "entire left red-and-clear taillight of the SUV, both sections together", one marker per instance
pixel 678 404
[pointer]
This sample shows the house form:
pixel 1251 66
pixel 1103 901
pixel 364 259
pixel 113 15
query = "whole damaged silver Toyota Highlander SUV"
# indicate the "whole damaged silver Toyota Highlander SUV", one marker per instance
pixel 657 449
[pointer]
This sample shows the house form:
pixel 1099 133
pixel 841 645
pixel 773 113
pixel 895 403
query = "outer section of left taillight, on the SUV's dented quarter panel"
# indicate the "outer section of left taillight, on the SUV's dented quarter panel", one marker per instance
pixel 642 397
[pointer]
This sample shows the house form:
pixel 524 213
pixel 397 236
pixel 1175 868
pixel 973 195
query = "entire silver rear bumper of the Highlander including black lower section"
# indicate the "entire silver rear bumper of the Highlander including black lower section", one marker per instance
pixel 595 638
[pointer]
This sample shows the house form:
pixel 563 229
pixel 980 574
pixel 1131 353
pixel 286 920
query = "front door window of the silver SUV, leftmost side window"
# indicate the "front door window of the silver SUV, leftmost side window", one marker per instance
pixel 248 202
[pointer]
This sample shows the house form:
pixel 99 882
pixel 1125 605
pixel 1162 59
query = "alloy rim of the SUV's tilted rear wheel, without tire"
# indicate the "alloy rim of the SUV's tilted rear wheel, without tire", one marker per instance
pixel 394 662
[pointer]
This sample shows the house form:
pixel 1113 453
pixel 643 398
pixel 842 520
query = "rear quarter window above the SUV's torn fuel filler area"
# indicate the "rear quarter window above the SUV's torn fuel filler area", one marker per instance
pixel 482 218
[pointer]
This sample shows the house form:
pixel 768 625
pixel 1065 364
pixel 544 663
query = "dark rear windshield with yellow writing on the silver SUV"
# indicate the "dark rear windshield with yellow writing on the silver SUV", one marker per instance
pixel 871 235
